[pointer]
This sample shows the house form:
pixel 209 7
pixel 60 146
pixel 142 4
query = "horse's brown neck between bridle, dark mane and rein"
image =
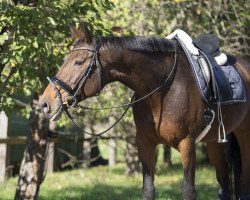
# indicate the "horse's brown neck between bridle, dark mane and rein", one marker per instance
pixel 140 72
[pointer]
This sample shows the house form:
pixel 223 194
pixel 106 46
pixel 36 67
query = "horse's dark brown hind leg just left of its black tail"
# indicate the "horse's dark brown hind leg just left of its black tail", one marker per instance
pixel 217 158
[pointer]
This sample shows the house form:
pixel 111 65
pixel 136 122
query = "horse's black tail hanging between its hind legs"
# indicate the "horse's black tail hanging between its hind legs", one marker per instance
pixel 234 164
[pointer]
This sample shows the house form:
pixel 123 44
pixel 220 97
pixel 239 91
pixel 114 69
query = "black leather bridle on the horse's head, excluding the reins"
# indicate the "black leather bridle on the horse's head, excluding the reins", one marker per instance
pixel 75 92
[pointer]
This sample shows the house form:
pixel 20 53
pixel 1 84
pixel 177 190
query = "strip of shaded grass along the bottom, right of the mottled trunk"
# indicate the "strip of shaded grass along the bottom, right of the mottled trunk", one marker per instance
pixel 106 192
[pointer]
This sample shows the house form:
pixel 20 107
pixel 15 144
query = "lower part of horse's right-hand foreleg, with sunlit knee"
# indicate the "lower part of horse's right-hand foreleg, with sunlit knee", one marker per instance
pixel 188 157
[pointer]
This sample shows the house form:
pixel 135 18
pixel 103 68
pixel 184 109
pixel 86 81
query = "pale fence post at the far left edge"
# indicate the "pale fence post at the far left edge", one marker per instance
pixel 3 147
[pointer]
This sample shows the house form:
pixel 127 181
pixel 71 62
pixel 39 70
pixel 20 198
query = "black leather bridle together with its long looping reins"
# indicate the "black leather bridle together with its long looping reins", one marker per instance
pixel 96 65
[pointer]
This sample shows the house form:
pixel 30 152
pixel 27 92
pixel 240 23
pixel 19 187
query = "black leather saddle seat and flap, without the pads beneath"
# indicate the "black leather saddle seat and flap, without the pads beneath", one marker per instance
pixel 209 45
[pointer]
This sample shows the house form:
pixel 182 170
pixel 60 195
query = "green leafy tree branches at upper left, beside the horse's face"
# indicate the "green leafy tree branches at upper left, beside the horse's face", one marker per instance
pixel 34 38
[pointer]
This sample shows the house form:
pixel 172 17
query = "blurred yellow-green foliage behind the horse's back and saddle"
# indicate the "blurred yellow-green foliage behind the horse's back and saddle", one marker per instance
pixel 229 19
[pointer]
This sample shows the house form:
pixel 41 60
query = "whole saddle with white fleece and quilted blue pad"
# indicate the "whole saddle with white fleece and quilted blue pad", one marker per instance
pixel 215 73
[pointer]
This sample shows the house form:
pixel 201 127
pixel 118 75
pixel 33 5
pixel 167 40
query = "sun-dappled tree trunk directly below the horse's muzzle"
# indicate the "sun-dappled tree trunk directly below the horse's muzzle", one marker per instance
pixel 32 167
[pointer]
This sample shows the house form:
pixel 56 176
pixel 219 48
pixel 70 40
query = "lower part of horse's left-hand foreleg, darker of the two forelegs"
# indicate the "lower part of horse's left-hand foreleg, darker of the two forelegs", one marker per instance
pixel 147 153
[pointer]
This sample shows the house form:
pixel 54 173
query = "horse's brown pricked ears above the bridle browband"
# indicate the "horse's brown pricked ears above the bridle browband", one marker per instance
pixel 83 33
